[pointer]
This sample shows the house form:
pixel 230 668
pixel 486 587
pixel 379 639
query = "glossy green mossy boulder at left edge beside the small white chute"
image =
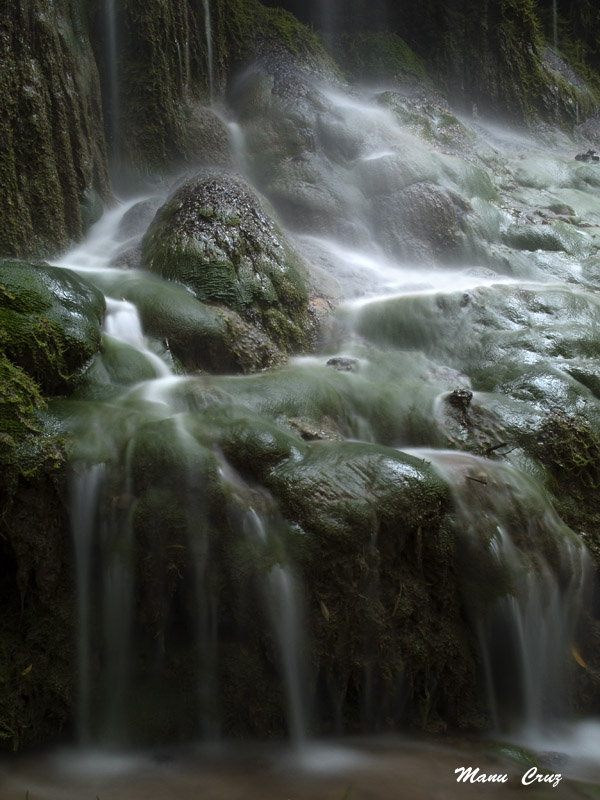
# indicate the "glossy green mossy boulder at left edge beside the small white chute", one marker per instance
pixel 50 322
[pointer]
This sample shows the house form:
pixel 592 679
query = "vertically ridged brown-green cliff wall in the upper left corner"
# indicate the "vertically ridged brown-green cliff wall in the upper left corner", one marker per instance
pixel 51 138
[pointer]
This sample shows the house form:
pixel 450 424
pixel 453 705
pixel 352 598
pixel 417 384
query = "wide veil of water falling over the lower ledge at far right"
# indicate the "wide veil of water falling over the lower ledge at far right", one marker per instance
pixel 526 578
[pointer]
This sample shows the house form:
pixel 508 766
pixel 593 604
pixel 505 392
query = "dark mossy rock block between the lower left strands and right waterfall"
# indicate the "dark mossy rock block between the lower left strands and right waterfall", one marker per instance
pixel 374 526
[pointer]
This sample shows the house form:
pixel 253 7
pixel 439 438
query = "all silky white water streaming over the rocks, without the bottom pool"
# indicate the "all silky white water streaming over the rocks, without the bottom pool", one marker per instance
pixel 524 570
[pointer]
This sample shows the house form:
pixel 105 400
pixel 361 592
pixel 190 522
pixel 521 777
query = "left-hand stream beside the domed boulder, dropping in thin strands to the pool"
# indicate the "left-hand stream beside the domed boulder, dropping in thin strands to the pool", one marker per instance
pixel 104 506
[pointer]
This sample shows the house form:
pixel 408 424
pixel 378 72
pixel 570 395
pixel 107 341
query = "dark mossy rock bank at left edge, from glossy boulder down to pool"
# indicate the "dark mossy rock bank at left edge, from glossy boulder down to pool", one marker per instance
pixel 49 332
